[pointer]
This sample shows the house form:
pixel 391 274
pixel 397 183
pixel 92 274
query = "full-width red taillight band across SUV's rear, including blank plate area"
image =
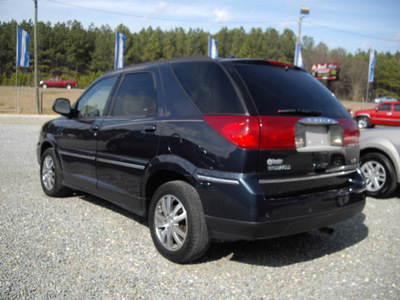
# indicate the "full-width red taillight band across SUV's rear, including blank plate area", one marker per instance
pixel 276 132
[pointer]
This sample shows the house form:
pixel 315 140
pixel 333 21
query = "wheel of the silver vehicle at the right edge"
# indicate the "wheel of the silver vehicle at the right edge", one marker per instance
pixel 380 175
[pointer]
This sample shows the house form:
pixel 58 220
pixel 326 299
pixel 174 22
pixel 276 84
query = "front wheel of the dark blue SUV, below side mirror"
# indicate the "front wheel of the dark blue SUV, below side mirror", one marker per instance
pixel 50 175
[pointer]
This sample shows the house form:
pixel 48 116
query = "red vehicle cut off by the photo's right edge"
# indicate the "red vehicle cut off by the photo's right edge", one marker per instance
pixel 386 113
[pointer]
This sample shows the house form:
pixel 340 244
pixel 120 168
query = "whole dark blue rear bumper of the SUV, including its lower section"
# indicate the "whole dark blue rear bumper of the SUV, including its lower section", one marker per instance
pixel 242 211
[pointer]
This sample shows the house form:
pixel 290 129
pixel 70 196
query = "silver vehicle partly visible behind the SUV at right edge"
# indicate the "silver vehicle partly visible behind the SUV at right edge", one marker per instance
pixel 380 160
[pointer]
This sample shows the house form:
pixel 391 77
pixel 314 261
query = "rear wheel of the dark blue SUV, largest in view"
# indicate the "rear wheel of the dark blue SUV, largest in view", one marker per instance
pixel 177 223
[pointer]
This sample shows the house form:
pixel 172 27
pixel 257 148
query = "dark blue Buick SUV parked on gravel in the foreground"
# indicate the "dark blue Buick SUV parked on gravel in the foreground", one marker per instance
pixel 230 149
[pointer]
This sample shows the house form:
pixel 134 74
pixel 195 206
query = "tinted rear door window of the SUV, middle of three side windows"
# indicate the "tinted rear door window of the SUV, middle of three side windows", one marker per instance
pixel 136 96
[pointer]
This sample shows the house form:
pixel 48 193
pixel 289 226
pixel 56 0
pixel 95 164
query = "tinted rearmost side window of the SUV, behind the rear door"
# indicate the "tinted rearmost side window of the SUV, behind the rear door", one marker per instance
pixel 209 87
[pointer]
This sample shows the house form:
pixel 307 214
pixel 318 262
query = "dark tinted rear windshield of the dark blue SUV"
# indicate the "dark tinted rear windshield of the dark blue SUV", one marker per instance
pixel 277 88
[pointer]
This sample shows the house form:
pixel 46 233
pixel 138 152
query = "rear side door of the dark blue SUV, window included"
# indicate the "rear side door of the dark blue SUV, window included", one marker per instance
pixel 128 139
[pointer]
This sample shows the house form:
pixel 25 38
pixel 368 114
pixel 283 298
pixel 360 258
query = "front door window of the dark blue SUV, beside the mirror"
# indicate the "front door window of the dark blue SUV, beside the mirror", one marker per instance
pixel 93 102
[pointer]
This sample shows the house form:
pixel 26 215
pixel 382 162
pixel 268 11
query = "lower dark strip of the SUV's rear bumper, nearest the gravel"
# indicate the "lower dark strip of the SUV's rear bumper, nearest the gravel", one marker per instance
pixel 233 230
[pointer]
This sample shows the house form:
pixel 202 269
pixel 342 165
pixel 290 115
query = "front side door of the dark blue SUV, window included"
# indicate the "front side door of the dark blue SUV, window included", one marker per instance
pixel 77 136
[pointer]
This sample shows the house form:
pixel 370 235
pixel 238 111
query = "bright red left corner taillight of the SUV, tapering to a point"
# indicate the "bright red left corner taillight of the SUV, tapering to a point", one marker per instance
pixel 242 131
